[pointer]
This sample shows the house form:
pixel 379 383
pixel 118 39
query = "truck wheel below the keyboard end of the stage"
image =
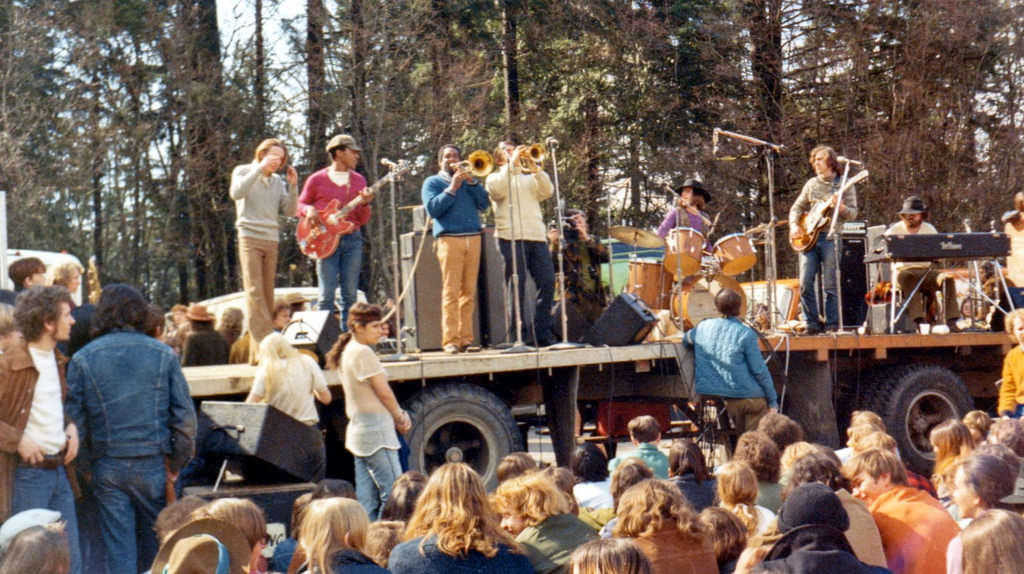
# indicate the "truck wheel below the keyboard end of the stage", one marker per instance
pixel 913 400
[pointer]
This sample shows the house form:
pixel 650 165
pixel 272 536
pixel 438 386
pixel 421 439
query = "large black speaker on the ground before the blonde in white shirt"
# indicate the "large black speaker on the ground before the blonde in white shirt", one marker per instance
pixel 263 445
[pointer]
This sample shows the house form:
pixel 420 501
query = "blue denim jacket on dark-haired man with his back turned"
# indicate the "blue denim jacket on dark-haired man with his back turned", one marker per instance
pixel 130 399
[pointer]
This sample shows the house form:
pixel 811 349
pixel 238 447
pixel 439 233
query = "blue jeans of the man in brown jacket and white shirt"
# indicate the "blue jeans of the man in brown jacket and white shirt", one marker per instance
pixel 49 489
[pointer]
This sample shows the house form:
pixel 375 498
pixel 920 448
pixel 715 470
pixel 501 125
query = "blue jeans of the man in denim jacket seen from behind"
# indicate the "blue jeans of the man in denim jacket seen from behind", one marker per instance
pixel 130 494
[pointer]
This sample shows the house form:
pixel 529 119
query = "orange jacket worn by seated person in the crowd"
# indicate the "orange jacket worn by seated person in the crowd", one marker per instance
pixel 916 531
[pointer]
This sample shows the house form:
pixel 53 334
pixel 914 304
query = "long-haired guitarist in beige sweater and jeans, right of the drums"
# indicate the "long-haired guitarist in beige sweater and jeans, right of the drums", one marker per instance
pixel 821 256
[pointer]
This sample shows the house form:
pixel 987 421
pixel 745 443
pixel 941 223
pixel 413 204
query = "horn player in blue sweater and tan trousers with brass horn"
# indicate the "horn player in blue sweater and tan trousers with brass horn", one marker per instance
pixel 454 198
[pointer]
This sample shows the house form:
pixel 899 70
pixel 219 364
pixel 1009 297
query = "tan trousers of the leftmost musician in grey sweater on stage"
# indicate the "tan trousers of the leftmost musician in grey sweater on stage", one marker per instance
pixel 260 263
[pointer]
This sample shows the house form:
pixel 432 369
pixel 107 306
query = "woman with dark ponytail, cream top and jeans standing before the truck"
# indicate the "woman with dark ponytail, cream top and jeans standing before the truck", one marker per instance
pixel 373 412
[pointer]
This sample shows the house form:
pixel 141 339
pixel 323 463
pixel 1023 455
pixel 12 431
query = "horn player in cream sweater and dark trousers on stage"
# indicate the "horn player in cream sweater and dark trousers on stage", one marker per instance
pixel 517 190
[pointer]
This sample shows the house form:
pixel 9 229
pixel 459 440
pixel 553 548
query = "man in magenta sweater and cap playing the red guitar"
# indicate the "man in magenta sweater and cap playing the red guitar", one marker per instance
pixel 338 182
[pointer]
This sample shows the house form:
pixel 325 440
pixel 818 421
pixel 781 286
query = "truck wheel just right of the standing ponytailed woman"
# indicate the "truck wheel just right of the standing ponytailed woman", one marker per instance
pixel 458 423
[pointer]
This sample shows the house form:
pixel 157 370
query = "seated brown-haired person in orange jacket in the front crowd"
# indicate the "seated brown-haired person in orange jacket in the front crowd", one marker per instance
pixel 916 528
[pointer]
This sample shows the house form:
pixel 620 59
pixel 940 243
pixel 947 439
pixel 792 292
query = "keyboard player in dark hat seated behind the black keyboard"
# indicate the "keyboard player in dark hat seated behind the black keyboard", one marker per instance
pixel 909 275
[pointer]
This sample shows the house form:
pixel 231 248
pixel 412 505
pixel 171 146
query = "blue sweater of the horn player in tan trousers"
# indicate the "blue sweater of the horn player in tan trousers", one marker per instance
pixel 454 215
